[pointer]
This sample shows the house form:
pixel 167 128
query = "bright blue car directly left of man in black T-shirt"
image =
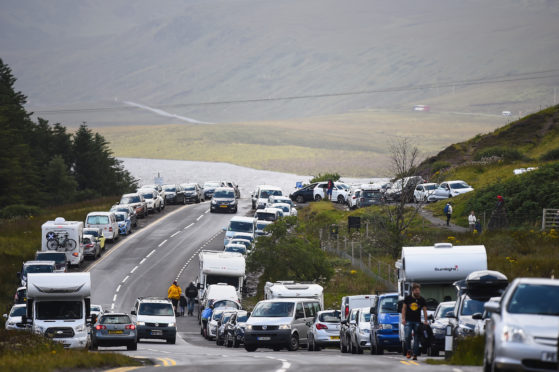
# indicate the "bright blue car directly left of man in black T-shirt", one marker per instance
pixel 385 324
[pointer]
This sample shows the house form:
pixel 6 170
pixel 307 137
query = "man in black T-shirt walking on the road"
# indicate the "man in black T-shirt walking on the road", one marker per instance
pixel 413 305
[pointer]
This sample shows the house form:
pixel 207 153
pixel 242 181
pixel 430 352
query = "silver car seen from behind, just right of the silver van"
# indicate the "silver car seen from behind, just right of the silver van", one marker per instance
pixel 325 330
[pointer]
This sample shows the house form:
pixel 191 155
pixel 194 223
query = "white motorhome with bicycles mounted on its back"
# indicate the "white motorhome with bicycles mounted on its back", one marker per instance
pixel 64 236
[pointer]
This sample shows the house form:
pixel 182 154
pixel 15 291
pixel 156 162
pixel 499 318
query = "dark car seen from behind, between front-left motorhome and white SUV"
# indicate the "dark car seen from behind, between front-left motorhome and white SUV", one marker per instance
pixel 114 329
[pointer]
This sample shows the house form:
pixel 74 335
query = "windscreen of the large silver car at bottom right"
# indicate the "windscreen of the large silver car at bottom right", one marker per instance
pixel 529 299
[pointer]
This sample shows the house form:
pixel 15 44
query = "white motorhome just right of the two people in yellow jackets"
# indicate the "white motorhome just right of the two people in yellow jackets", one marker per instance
pixel 221 267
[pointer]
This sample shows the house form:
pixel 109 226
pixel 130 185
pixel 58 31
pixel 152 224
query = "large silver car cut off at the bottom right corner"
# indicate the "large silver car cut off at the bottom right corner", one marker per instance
pixel 522 332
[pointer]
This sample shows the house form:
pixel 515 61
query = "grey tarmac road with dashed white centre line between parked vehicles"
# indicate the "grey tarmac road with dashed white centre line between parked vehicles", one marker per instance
pixel 145 263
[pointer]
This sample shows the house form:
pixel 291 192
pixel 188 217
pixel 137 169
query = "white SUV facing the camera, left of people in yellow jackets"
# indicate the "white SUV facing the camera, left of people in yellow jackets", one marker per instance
pixel 155 318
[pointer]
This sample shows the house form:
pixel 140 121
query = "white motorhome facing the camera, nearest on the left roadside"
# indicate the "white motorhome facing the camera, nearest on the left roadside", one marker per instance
pixel 58 307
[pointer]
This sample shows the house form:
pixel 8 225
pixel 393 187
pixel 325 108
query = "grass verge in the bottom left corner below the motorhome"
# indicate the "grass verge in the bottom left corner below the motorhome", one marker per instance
pixel 24 351
